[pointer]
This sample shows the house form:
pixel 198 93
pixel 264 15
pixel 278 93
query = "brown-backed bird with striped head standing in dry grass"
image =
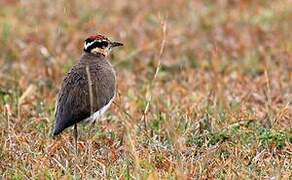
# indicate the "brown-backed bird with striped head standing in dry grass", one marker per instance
pixel 89 87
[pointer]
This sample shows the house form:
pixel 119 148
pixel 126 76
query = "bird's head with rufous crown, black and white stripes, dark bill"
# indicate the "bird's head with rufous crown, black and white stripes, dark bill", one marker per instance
pixel 99 44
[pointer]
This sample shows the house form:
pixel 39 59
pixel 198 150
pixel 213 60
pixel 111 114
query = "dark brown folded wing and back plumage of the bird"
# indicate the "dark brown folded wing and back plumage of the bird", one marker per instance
pixel 74 99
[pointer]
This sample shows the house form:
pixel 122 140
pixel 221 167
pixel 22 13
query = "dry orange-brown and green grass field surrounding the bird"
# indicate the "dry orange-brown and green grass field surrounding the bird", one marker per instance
pixel 205 89
